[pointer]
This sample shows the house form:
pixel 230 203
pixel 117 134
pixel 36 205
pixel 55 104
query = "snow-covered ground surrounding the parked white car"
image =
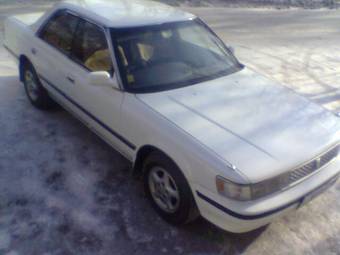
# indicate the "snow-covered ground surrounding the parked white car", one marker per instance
pixel 64 191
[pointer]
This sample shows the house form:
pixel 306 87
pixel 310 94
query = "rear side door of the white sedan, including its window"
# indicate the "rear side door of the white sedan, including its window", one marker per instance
pixel 51 54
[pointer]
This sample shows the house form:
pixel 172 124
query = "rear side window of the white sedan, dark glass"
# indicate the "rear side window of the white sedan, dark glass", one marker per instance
pixel 59 31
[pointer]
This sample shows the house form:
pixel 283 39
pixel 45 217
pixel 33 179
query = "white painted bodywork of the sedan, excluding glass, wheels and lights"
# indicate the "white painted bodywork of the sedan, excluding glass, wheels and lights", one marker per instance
pixel 243 127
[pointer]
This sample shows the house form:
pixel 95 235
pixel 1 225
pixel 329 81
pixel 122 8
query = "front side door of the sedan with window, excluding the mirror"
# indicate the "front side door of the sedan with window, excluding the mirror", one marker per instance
pixel 99 105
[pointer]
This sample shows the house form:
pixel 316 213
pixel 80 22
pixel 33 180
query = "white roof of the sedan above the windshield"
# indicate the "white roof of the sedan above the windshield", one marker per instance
pixel 126 13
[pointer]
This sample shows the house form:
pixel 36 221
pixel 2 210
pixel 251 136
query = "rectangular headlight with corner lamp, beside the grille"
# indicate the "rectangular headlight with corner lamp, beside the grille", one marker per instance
pixel 246 192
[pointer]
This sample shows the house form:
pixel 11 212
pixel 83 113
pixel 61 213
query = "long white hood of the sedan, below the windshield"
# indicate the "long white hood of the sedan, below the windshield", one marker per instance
pixel 259 126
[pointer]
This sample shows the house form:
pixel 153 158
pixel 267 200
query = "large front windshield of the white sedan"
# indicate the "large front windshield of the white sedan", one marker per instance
pixel 162 57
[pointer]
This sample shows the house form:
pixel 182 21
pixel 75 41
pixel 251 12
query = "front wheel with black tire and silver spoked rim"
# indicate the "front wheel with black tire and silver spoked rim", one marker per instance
pixel 180 207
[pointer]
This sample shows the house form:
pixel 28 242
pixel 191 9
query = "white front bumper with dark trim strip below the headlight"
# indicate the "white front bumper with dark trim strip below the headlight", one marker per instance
pixel 238 217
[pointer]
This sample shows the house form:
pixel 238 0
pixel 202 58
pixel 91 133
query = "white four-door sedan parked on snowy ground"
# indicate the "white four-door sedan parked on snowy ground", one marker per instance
pixel 208 136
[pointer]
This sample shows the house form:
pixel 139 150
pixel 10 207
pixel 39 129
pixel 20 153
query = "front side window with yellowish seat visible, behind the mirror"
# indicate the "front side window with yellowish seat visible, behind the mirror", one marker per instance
pixel 90 48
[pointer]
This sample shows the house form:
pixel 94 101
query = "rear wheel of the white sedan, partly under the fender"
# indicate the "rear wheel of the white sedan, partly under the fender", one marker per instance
pixel 35 92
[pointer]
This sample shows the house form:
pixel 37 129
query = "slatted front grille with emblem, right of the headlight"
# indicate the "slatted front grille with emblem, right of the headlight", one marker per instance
pixel 313 165
